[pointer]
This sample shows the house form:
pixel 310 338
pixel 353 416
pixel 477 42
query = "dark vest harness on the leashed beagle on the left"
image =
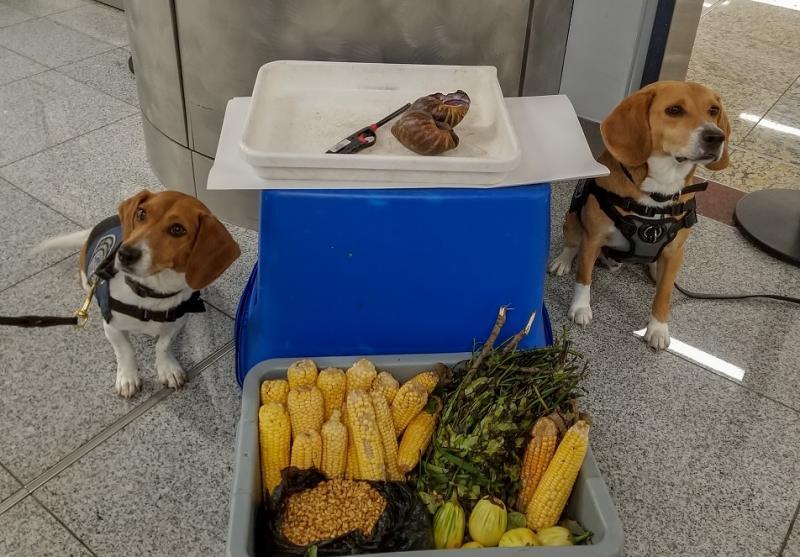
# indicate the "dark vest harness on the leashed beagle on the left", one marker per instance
pixel 102 246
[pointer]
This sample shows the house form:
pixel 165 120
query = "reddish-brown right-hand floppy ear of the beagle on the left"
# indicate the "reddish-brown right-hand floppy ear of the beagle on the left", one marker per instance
pixel 213 252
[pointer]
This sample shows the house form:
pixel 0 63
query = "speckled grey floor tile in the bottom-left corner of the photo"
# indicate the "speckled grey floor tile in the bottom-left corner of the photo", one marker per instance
pixel 29 530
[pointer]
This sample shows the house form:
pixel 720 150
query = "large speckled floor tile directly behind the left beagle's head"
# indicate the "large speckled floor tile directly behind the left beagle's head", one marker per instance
pixel 95 172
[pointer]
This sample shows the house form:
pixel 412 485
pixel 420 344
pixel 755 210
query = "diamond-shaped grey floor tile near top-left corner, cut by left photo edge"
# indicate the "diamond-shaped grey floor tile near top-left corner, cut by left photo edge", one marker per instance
pixel 49 43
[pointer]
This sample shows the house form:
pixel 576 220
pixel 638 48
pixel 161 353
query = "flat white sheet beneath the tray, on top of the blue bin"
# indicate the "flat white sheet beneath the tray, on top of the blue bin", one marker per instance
pixel 550 136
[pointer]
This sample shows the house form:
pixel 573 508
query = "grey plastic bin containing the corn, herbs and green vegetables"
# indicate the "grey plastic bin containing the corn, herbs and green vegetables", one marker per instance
pixel 590 503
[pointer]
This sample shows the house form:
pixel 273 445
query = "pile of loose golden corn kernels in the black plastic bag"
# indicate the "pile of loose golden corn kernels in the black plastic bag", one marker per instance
pixel 331 509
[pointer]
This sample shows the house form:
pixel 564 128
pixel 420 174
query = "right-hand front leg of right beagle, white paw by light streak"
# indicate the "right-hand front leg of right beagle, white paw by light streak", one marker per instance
pixel 669 263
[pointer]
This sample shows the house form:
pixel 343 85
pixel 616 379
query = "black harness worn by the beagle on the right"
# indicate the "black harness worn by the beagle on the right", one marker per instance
pixel 646 230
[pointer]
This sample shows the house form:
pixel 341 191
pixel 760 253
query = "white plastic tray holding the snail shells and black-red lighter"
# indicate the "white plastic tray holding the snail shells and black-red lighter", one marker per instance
pixel 300 109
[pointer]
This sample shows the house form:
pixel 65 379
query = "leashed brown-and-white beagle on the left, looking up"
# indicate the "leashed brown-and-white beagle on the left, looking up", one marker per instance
pixel 149 262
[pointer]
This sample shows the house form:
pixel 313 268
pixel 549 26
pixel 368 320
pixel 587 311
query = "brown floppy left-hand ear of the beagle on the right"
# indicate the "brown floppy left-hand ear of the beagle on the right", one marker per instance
pixel 626 131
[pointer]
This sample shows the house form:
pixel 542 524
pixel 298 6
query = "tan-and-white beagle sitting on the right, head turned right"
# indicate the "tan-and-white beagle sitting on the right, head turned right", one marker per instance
pixel 643 210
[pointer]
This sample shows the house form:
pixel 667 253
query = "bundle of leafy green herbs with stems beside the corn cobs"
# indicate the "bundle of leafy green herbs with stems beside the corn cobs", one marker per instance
pixel 490 405
